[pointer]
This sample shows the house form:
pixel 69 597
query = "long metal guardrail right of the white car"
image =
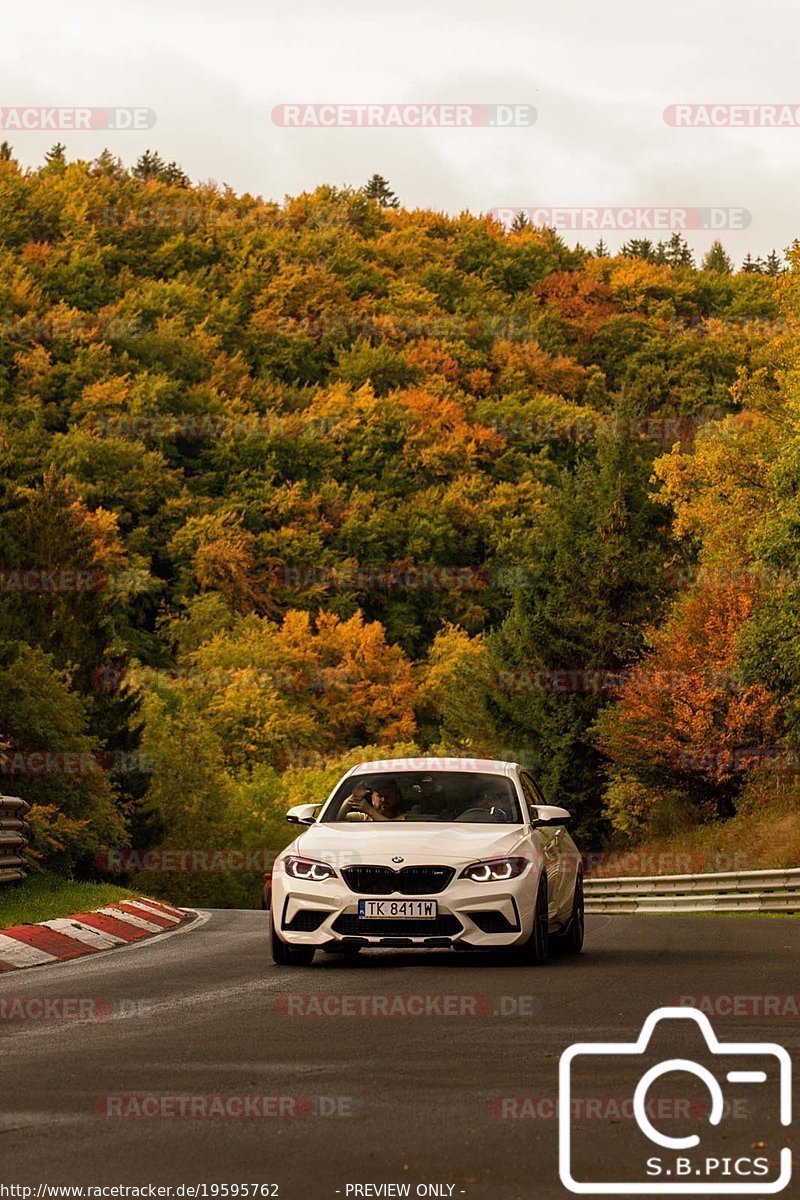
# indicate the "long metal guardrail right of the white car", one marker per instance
pixel 723 892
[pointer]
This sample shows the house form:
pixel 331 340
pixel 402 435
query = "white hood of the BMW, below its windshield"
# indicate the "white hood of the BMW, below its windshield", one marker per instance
pixel 430 844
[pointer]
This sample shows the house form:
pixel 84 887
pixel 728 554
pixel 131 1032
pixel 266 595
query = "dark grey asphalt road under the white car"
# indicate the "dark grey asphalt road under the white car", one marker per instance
pixel 464 1102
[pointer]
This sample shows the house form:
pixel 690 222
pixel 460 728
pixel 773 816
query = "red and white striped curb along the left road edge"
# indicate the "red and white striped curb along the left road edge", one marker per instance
pixel 87 933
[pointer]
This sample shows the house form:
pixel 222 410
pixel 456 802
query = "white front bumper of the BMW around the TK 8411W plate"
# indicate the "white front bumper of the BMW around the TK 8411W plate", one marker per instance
pixel 471 916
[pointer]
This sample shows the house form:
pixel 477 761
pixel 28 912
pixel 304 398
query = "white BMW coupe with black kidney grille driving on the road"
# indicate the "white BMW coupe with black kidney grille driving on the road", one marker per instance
pixel 429 853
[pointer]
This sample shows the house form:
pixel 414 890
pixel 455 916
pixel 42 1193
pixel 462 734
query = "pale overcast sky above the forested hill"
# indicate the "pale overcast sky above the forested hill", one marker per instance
pixel 599 75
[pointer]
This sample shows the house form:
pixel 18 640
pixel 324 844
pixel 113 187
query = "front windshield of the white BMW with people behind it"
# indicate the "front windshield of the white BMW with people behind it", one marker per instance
pixel 440 796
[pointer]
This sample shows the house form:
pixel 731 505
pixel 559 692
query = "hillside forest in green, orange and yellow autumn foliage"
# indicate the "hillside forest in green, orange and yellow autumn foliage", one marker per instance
pixel 286 485
